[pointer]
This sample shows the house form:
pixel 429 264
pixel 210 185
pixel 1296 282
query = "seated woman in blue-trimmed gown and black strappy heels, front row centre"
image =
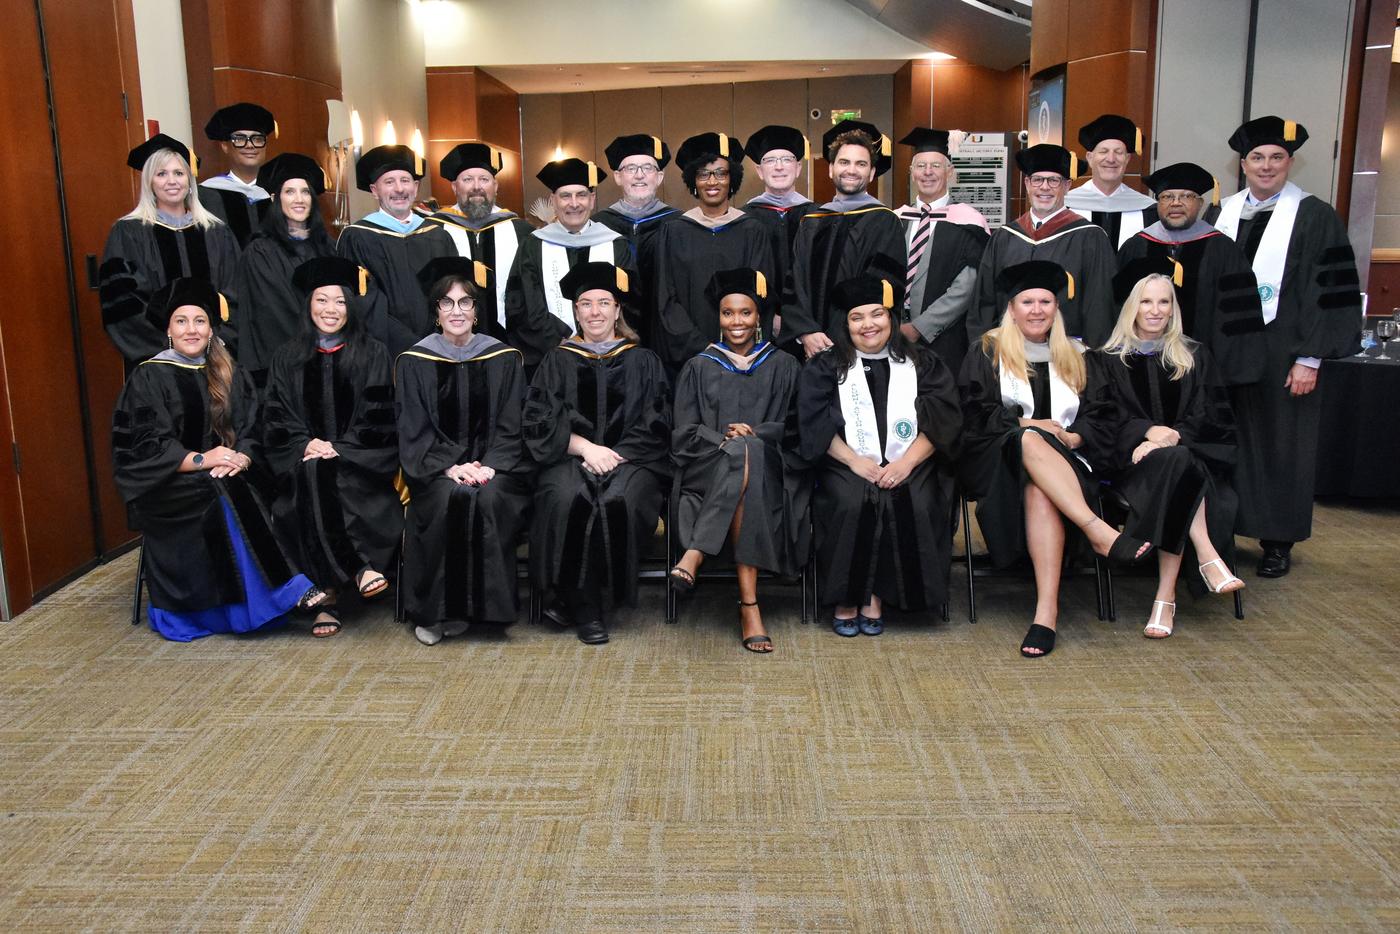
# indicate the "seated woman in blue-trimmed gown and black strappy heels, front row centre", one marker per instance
pixel 736 443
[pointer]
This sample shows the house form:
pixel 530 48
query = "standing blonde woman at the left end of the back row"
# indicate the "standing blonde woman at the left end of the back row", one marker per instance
pixel 167 236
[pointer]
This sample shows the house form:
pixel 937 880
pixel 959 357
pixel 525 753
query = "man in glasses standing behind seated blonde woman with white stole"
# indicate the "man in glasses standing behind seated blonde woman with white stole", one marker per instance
pixel 1051 232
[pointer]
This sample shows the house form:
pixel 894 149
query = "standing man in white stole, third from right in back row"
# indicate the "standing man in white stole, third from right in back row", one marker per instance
pixel 1109 142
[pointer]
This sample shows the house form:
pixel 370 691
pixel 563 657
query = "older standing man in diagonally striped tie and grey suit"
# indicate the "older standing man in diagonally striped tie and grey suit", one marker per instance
pixel 944 244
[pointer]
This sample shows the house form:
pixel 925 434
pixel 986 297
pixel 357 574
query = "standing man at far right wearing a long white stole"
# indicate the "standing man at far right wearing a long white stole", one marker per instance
pixel 1308 288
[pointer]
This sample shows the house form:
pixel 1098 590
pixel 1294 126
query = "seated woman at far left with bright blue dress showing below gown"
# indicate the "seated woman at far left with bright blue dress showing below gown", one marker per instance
pixel 183 443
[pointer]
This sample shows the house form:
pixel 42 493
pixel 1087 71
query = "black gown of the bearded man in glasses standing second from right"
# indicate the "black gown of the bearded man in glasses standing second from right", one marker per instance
pixel 1219 298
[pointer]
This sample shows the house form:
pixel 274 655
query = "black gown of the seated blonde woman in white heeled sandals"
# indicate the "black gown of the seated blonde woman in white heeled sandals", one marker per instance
pixel 1165 488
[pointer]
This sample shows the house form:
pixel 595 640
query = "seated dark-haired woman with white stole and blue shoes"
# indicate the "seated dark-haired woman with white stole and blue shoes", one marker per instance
pixel 885 417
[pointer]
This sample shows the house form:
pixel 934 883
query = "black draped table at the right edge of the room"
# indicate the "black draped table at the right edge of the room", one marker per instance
pixel 1359 442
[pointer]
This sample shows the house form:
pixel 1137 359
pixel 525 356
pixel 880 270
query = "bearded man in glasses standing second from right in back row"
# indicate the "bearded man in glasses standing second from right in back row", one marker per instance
pixel 1216 288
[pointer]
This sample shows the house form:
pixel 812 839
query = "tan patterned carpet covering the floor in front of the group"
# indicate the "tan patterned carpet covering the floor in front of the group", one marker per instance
pixel 1240 775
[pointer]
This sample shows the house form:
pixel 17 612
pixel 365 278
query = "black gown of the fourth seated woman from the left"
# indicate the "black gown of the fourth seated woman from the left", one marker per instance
pixel 589 531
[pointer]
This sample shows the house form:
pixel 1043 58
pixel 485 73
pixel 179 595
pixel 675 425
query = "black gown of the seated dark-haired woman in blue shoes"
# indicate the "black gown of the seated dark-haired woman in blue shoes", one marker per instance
pixel 873 543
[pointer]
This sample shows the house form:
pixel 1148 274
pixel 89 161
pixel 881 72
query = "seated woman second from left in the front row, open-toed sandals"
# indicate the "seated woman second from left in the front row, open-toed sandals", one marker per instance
pixel 331 442
